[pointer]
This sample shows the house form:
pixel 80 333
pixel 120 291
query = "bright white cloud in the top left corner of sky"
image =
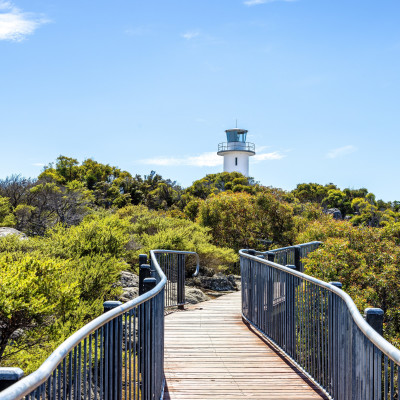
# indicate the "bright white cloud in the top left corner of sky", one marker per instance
pixel 15 24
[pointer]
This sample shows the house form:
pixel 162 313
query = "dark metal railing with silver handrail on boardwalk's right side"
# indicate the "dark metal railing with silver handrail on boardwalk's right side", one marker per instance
pixel 320 328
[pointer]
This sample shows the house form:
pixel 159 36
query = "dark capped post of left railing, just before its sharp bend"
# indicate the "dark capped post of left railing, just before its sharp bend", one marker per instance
pixel 147 345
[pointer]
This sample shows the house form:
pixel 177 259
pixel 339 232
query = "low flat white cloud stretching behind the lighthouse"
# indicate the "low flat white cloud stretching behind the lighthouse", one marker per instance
pixel 210 159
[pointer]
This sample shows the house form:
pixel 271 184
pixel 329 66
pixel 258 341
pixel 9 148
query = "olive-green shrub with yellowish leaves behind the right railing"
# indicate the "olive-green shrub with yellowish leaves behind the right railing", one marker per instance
pixel 366 261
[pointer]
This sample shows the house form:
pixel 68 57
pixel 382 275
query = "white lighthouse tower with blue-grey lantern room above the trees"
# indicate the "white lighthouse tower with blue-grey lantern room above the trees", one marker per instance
pixel 236 151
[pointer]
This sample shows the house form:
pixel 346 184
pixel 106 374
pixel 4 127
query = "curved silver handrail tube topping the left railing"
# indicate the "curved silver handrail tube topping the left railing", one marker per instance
pixel 32 382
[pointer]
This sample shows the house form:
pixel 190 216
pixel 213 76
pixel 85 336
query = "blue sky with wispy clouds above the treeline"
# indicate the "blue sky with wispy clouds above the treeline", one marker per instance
pixel 153 84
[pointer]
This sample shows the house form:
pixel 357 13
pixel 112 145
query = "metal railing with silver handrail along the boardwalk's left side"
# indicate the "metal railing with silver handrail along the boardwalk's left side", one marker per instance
pixel 119 355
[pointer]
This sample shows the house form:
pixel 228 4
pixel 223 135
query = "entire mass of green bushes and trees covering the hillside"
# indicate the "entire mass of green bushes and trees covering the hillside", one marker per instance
pixel 88 222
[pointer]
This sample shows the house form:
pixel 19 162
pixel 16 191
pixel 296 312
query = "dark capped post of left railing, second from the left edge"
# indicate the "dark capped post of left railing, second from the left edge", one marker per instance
pixel 113 353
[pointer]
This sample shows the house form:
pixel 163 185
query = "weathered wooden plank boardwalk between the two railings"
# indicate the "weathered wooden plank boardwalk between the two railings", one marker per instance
pixel 211 354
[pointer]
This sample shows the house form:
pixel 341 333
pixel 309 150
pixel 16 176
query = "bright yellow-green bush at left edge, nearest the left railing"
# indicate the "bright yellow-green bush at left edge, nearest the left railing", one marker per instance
pixel 35 295
